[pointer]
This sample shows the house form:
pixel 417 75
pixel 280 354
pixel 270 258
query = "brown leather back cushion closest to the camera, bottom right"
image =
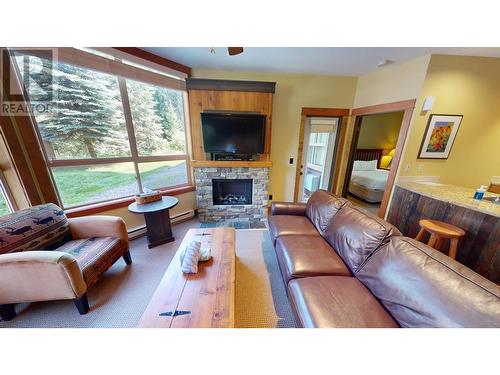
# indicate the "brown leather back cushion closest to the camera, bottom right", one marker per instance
pixel 422 287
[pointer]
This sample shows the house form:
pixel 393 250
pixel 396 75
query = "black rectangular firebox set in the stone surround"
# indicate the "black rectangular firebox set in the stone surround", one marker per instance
pixel 232 192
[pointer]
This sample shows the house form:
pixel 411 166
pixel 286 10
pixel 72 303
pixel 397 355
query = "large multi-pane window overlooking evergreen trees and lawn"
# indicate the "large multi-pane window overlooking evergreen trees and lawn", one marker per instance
pixel 108 136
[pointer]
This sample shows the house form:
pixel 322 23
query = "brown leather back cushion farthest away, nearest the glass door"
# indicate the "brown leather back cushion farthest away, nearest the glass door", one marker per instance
pixel 321 207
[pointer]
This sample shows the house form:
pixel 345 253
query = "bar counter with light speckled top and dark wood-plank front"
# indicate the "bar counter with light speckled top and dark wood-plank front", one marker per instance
pixel 479 249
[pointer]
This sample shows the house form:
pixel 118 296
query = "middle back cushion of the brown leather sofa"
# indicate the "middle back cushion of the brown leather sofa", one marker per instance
pixel 355 234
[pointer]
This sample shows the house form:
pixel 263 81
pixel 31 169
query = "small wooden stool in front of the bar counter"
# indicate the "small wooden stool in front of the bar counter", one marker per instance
pixel 440 231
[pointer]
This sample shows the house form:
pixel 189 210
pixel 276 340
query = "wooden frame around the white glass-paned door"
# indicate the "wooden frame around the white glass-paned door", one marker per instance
pixel 343 114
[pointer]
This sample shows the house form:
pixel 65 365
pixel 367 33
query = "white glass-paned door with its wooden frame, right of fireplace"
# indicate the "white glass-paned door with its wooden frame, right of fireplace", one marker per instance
pixel 320 139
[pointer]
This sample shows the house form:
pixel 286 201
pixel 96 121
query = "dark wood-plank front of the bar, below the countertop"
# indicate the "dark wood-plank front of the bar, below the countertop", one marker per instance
pixel 479 249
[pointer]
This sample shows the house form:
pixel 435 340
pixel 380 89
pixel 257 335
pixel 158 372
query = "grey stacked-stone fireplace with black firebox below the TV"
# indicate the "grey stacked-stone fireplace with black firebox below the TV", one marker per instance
pixel 231 193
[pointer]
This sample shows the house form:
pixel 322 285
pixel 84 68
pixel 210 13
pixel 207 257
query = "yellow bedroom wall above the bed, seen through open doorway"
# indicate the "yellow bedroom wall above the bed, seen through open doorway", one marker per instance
pixel 380 131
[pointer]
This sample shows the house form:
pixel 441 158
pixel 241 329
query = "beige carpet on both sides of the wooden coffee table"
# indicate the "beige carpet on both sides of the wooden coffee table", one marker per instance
pixel 121 296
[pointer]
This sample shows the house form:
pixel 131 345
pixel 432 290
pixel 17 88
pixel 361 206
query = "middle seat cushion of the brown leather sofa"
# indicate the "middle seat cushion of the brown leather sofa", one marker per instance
pixel 303 256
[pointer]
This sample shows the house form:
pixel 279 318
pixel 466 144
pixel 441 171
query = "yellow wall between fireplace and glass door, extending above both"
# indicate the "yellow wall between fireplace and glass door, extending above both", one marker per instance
pixel 293 91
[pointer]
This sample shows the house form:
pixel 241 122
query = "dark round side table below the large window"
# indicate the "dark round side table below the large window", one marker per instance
pixel 157 217
